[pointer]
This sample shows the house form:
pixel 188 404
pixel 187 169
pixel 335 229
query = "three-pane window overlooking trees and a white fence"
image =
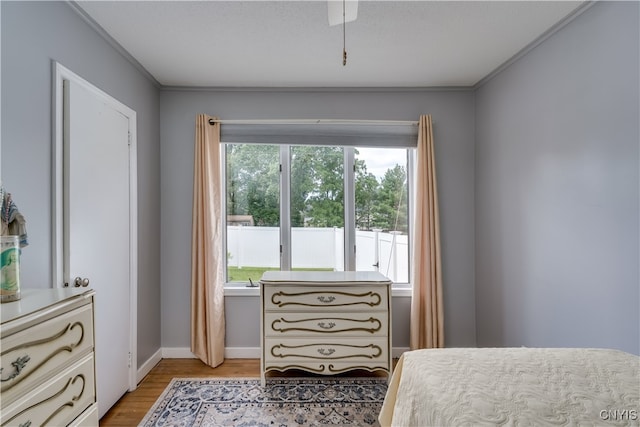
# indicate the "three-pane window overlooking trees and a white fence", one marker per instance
pixel 310 207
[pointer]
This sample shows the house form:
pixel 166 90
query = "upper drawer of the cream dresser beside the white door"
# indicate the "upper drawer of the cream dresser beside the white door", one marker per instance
pixel 29 356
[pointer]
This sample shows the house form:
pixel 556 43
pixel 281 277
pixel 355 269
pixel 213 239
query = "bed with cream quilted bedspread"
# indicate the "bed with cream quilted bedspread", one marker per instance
pixel 513 386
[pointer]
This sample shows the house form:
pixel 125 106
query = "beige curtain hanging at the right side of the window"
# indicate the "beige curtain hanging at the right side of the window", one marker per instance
pixel 427 317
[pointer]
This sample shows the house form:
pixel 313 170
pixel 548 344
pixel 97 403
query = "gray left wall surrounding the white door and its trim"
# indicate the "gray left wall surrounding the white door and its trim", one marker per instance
pixel 34 34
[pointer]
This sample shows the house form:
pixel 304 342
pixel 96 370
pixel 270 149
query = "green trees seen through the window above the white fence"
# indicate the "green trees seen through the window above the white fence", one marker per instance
pixel 317 188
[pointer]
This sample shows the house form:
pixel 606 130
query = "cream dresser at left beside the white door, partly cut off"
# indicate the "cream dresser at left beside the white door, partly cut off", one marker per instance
pixel 47 359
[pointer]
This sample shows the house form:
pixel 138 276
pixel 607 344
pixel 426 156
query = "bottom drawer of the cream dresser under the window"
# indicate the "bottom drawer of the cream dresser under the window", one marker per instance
pixel 339 349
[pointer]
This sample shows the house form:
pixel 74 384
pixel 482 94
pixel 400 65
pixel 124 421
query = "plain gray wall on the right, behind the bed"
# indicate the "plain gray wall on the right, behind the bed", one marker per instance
pixel 557 190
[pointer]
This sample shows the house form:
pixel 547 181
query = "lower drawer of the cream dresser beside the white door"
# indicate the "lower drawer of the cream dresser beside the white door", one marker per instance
pixel 56 402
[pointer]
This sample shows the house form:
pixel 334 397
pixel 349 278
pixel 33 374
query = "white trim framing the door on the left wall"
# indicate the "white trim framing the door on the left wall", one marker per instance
pixel 59 74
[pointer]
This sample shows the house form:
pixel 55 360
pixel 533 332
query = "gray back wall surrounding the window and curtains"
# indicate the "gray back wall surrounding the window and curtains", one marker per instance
pixel 453 117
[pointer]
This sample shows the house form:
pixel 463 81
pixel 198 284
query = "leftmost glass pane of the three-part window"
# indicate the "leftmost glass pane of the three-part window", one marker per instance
pixel 253 211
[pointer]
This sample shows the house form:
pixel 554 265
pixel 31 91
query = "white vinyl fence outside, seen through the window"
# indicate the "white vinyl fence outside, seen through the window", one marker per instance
pixel 319 248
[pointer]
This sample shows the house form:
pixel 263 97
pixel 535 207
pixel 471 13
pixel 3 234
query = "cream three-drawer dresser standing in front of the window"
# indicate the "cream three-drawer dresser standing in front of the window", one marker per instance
pixel 325 322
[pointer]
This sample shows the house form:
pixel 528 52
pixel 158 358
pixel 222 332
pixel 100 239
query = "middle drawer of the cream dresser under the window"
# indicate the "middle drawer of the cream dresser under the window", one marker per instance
pixel 321 324
